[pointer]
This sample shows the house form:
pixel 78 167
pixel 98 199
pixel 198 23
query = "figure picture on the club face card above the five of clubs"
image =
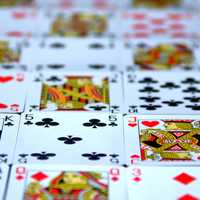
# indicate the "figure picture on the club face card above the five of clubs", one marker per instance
pixel 75 93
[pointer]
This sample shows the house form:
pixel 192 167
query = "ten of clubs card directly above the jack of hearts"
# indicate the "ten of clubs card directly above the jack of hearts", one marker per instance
pixel 162 93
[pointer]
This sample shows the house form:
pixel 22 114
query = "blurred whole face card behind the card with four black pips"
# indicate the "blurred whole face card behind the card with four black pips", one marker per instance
pixel 78 23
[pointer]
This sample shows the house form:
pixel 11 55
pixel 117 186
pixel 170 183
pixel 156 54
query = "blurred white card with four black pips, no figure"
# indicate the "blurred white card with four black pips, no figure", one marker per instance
pixel 102 54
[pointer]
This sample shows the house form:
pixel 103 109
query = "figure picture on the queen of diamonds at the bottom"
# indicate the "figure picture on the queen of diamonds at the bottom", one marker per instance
pixel 67 185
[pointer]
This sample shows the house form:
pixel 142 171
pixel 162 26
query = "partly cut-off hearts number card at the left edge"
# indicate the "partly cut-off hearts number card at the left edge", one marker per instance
pixel 13 87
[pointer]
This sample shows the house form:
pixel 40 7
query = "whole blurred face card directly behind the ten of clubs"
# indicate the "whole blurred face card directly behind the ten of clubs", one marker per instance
pixel 174 54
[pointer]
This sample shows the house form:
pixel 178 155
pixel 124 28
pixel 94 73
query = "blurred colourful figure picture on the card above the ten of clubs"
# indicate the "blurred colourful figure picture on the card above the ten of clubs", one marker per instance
pixel 164 56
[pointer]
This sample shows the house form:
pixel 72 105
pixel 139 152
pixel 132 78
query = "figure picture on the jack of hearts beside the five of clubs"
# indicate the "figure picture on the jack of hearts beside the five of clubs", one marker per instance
pixel 173 140
